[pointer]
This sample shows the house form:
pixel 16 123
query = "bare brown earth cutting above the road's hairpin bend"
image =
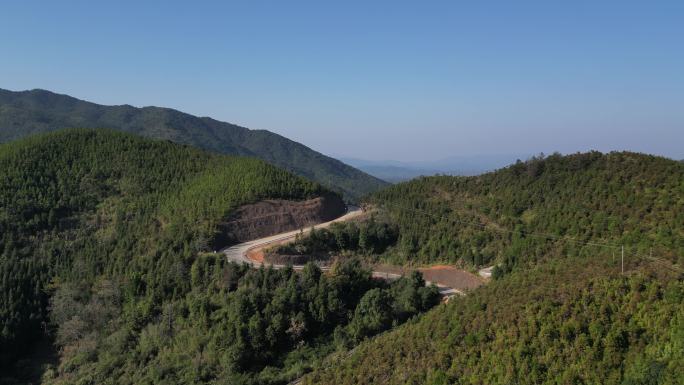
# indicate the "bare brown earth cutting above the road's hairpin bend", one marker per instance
pixel 270 217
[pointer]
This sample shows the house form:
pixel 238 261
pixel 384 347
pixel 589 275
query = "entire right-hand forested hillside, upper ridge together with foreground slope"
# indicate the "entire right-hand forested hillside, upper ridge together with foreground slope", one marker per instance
pixel 559 308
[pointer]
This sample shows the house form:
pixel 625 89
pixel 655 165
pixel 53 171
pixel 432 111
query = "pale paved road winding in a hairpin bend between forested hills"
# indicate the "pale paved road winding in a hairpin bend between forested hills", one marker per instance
pixel 238 253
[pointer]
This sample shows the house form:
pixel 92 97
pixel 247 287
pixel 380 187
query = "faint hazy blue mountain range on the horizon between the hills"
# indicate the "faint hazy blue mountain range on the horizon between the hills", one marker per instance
pixel 397 171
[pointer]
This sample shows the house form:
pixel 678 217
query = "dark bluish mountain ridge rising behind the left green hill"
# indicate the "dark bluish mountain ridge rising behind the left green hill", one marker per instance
pixel 30 112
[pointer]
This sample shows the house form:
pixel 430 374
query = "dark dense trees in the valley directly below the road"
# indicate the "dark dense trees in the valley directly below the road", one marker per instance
pixel 233 325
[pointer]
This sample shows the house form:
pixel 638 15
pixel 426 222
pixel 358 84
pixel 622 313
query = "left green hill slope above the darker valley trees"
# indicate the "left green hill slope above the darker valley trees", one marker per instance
pixel 106 201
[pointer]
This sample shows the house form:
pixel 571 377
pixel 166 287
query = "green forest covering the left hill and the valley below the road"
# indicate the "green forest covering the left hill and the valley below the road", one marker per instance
pixel 103 237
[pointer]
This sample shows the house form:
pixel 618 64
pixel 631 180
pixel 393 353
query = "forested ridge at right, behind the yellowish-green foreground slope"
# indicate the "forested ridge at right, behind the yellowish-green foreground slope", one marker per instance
pixel 520 211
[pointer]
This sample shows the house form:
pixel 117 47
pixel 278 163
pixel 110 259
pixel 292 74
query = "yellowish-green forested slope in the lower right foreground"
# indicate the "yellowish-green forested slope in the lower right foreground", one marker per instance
pixel 567 321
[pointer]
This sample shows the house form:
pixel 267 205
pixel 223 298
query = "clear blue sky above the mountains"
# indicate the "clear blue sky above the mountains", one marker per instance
pixel 403 80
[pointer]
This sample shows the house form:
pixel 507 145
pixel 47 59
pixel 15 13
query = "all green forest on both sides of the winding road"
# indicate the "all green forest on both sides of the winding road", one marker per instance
pixel 106 255
